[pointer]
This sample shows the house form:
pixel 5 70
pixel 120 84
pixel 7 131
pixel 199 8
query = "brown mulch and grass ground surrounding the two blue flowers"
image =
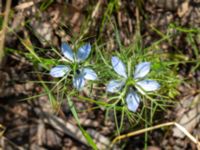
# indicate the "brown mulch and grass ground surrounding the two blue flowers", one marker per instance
pixel 34 124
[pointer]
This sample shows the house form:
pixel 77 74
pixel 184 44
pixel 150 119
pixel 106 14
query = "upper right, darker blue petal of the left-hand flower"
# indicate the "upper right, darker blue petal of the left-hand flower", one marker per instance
pixel 83 52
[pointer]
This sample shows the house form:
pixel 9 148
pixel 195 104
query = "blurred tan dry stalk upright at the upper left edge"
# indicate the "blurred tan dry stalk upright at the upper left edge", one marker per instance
pixel 4 29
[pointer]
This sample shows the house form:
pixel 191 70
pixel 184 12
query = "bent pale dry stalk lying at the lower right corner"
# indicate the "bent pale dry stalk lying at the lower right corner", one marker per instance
pixel 181 128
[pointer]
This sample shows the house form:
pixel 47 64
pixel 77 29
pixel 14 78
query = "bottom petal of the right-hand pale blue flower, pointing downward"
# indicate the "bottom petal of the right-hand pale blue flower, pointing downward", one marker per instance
pixel 133 101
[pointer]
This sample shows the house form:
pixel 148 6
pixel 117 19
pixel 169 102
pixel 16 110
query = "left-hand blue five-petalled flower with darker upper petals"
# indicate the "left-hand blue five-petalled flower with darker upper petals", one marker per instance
pixel 80 74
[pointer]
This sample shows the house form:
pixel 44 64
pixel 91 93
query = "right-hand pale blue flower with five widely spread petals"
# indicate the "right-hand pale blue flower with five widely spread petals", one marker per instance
pixel 141 84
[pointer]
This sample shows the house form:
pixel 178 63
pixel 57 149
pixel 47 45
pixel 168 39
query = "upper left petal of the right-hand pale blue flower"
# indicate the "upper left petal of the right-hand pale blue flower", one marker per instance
pixel 119 66
